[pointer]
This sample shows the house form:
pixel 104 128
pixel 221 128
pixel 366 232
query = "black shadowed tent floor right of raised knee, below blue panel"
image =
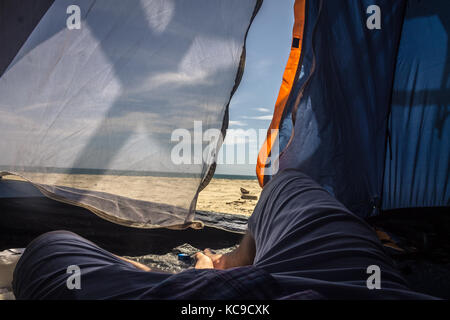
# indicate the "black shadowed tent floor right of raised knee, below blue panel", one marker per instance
pixel 424 234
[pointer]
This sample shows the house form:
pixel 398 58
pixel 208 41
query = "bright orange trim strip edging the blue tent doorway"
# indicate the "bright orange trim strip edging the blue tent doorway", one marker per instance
pixel 286 86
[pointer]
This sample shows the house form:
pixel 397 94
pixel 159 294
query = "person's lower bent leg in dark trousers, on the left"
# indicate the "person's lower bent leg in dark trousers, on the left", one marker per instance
pixel 50 260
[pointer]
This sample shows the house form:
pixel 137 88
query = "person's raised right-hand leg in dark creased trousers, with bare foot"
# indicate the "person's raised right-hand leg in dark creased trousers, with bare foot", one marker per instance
pixel 306 239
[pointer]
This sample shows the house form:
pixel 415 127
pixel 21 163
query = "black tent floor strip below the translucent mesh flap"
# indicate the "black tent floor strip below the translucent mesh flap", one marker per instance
pixel 23 219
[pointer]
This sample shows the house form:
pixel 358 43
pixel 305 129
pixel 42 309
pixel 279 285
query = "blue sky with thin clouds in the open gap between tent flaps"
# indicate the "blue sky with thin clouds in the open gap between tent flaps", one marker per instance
pixel 268 46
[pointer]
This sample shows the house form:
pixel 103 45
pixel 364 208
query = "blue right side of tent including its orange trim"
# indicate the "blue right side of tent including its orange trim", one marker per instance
pixel 364 111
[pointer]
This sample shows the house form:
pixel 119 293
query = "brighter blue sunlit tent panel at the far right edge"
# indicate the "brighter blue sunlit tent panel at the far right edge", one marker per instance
pixel 418 154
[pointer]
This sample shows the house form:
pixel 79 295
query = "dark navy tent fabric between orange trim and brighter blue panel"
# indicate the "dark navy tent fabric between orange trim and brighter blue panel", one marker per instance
pixel 340 130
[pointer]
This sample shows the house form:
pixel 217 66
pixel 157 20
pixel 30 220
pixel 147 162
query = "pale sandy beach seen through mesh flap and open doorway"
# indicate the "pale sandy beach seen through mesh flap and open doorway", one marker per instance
pixel 221 195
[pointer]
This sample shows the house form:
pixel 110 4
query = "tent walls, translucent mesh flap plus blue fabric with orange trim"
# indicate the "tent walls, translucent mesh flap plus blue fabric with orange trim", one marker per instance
pixel 363 106
